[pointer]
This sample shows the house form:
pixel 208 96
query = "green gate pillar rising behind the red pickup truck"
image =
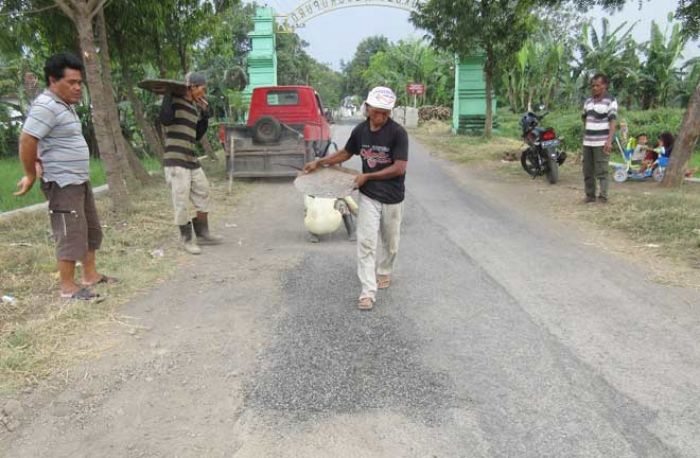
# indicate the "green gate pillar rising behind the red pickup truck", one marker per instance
pixel 262 59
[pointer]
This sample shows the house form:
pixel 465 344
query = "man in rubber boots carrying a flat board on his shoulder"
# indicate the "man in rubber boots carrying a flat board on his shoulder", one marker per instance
pixel 186 119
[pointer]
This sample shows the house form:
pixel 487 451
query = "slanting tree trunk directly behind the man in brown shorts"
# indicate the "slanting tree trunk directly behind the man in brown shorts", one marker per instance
pixel 115 179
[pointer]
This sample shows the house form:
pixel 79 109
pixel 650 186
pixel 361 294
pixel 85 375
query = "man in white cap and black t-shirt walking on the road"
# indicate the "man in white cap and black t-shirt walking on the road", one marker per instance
pixel 383 147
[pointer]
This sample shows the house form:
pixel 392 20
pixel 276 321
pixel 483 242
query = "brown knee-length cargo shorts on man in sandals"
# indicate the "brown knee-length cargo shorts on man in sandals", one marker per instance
pixel 74 221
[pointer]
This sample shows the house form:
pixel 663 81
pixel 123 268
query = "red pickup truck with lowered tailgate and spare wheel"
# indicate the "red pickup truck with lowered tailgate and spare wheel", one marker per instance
pixel 286 128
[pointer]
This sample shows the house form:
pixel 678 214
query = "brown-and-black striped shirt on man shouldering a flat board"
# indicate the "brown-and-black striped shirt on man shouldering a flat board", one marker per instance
pixel 183 127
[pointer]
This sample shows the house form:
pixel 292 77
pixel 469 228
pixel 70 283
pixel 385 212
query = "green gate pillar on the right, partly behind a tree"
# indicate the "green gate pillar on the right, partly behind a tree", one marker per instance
pixel 469 106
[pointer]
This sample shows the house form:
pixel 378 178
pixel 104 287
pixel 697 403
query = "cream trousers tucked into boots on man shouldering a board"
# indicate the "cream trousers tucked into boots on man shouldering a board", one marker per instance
pixel 187 185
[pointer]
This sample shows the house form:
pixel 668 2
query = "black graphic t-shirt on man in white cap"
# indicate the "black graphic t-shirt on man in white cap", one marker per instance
pixel 378 151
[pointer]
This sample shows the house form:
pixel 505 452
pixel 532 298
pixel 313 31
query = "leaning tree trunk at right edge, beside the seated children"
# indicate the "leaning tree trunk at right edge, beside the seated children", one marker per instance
pixel 684 144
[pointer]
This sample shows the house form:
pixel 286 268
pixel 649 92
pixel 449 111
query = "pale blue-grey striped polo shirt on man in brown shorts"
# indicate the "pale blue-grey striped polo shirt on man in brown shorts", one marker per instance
pixel 62 149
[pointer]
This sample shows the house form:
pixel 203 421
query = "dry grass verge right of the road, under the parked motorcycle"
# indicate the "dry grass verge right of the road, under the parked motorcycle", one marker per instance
pixel 655 221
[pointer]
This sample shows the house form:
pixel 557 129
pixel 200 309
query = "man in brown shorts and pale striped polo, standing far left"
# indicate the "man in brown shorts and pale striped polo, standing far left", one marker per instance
pixel 52 136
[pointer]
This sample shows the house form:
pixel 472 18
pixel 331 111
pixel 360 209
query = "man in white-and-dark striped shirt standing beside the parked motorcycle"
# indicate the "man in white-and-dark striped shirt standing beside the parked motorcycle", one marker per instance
pixel 599 115
